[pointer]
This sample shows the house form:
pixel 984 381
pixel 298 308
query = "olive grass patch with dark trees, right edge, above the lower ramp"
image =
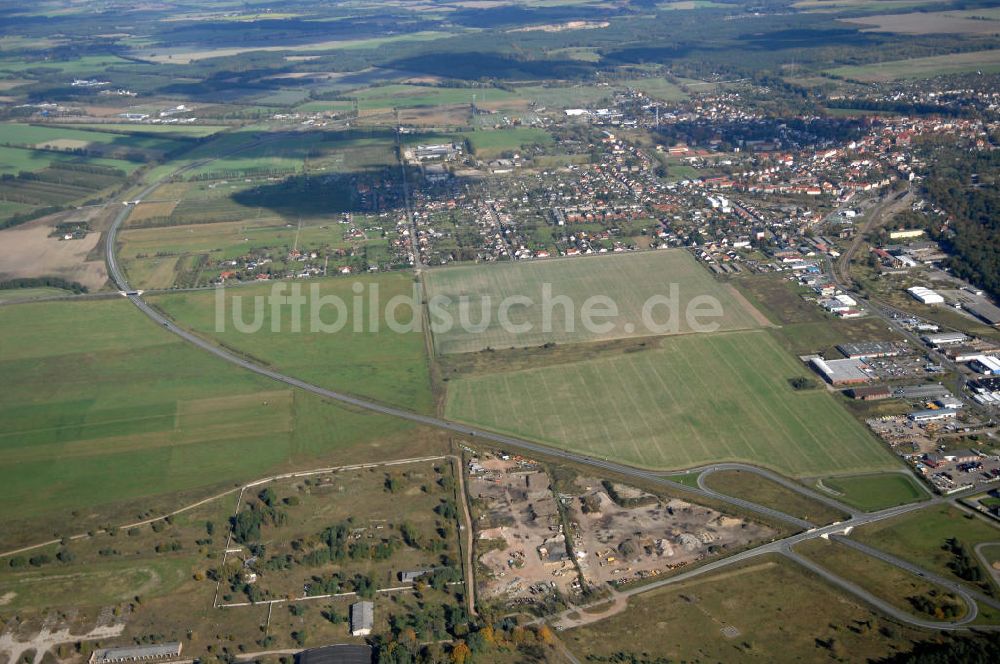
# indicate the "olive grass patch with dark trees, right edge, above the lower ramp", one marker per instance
pixel 920 537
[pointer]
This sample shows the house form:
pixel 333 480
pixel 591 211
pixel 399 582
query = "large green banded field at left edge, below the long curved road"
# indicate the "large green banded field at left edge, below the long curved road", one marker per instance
pixel 109 408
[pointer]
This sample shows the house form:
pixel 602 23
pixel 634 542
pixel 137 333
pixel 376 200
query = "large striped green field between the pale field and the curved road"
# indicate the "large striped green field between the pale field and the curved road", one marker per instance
pixel 696 399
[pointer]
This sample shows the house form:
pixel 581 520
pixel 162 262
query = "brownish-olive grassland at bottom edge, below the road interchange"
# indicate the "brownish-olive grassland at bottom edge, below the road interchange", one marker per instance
pixel 780 614
